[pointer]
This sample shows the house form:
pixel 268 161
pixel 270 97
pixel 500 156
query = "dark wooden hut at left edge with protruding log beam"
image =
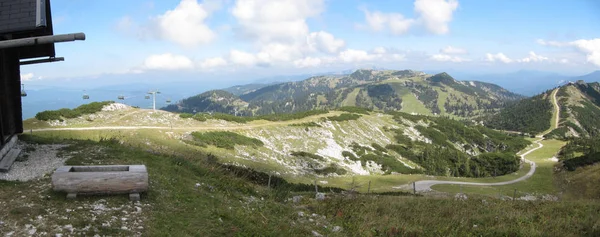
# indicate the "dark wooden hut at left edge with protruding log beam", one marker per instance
pixel 26 37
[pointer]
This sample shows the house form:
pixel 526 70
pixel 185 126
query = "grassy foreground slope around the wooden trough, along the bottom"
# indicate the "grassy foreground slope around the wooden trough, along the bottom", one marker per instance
pixel 234 206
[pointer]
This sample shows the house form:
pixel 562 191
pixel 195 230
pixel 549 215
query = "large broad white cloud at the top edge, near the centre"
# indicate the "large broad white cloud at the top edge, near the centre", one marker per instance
pixel 275 20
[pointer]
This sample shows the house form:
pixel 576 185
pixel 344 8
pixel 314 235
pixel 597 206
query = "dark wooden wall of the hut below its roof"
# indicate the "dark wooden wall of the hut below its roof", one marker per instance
pixel 11 122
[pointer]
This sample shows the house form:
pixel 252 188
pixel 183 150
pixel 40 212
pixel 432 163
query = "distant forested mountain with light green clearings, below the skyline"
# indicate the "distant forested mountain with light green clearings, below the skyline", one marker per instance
pixel 387 90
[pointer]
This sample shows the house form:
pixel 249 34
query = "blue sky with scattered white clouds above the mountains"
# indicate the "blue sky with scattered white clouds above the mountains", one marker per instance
pixel 198 39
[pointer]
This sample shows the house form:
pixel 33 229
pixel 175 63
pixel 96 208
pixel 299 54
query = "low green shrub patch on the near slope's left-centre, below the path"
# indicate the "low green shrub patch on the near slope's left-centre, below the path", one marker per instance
pixel 226 140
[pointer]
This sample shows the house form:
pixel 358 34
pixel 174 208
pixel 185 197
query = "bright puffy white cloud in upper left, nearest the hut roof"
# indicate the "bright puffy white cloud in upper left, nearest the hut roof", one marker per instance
pixel 185 24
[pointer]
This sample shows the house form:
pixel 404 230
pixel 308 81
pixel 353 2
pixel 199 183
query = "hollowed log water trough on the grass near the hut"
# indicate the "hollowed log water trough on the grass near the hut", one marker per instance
pixel 101 179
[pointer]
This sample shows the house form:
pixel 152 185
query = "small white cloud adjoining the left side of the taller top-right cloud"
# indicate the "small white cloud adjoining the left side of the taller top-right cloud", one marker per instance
pixel 395 22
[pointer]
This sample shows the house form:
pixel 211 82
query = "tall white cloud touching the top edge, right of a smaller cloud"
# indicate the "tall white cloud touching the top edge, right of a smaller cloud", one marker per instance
pixel 436 14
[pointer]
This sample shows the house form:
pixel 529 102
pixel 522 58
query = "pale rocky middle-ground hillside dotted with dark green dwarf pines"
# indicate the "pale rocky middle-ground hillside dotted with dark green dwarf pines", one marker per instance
pixel 353 141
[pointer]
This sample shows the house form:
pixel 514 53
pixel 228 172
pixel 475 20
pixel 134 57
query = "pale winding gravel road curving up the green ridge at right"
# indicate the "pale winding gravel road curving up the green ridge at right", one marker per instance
pixel 425 185
